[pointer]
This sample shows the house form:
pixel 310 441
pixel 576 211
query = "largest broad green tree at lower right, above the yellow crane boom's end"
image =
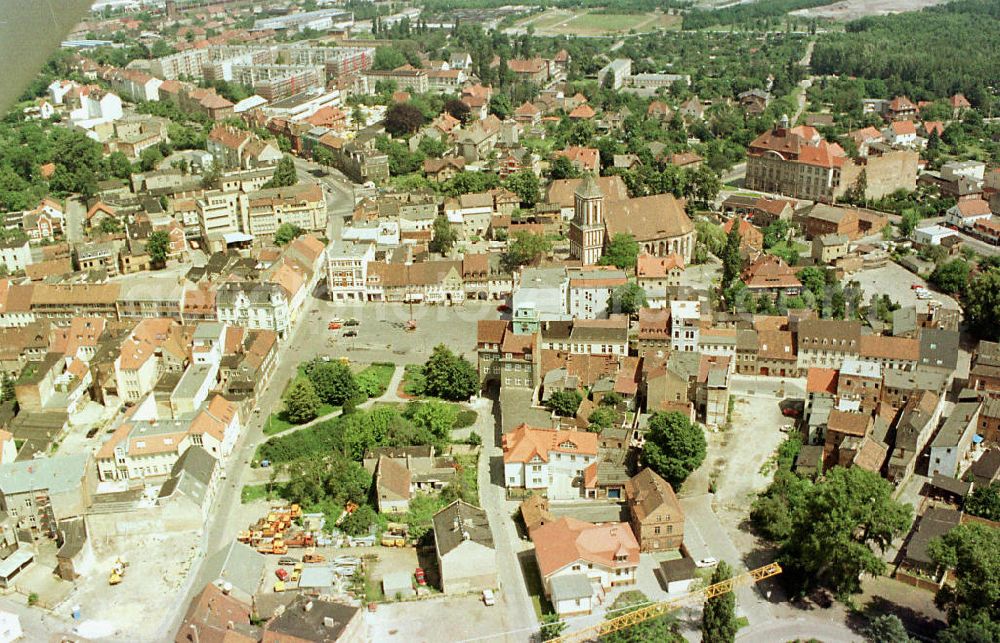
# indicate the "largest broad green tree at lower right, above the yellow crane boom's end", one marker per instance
pixel 837 525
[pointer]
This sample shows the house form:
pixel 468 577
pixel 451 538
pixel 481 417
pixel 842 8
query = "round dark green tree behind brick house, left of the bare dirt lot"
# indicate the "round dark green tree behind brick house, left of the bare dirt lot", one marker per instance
pixel 674 446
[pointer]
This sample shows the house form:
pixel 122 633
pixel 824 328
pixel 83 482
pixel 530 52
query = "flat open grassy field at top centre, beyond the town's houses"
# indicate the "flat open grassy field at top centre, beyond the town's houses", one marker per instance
pixel 561 22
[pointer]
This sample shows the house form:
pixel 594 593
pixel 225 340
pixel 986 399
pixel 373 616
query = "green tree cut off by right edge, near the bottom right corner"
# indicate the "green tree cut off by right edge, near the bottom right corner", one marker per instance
pixel 972 551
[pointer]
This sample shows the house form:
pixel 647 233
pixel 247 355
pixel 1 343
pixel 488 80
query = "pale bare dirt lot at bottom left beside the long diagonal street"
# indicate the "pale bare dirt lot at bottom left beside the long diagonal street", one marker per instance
pixel 157 569
